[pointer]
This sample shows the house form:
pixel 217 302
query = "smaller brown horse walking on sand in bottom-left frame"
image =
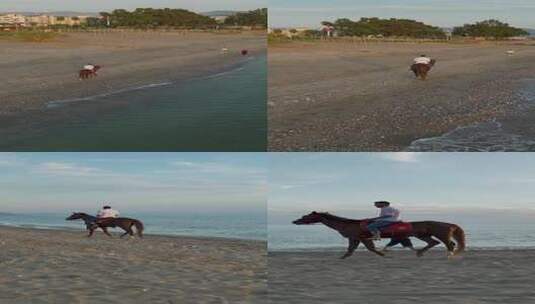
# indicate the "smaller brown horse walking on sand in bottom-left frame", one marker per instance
pixel 92 223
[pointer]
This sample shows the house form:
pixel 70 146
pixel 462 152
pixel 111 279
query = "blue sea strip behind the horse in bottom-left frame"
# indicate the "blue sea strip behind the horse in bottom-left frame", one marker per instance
pixel 249 226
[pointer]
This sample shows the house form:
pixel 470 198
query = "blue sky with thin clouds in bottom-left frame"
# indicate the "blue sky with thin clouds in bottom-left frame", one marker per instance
pixel 133 182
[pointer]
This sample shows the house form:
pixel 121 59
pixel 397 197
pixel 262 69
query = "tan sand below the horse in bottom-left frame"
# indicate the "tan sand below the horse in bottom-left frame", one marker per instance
pixel 49 266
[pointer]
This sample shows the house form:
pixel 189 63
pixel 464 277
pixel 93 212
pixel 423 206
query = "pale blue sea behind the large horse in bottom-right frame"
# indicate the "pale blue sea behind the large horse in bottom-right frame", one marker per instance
pixel 496 230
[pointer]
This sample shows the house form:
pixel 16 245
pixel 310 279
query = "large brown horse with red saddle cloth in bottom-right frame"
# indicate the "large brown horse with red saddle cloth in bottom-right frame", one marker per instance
pixel 427 231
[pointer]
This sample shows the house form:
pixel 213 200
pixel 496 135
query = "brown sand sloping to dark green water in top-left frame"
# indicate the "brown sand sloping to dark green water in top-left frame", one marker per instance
pixel 34 73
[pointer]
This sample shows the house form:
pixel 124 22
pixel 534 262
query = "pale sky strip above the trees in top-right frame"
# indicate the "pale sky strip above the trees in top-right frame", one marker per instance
pixel 444 13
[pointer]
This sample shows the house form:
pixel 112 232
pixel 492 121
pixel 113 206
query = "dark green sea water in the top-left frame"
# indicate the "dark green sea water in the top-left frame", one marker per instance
pixel 225 111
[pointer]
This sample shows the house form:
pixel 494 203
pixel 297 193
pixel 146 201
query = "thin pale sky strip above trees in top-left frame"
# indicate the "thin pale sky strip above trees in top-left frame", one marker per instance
pixel 108 5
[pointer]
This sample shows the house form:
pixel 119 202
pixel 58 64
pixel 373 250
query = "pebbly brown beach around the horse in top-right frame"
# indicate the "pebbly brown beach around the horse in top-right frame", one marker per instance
pixel 346 96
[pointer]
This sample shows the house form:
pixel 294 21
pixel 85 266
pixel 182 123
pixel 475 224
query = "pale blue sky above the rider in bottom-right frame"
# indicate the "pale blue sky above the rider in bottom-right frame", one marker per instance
pixel 415 182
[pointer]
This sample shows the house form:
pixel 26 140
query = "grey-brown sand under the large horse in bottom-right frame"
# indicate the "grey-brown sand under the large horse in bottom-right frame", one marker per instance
pixel 492 276
